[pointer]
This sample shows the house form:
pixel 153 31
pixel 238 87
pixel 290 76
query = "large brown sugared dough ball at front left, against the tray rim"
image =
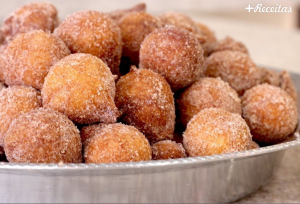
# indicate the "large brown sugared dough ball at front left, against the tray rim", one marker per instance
pixel 43 136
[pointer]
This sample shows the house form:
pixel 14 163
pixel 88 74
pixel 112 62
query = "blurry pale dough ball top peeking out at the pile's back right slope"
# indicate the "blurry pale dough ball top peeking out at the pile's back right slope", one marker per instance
pixel 229 43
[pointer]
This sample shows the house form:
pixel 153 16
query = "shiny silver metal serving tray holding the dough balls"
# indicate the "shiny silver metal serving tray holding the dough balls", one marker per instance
pixel 218 178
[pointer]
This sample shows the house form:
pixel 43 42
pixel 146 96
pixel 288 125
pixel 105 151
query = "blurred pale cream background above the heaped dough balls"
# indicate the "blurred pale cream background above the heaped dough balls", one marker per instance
pixel 273 39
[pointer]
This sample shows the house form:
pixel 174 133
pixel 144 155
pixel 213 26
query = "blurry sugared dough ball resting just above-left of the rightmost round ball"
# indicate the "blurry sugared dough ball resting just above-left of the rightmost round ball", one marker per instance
pixel 234 67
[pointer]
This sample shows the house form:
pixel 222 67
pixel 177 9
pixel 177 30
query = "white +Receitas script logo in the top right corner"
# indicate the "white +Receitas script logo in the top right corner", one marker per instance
pixel 269 9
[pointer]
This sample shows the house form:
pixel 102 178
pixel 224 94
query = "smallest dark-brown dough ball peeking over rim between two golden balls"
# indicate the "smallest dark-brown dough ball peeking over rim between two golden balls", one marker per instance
pixel 167 149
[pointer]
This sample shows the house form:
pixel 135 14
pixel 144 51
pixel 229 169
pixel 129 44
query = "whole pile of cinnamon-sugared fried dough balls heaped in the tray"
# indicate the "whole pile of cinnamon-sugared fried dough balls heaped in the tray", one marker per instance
pixel 128 86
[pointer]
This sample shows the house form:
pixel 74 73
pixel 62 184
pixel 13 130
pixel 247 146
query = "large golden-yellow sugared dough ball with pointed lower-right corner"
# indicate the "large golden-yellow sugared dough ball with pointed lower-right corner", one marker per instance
pixel 82 87
